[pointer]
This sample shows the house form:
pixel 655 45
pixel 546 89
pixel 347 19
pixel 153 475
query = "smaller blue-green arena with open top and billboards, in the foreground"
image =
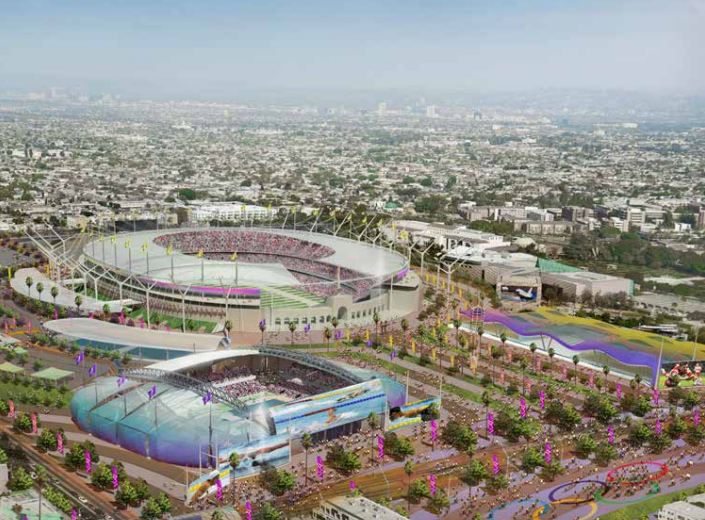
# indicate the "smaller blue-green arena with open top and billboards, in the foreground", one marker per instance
pixel 198 409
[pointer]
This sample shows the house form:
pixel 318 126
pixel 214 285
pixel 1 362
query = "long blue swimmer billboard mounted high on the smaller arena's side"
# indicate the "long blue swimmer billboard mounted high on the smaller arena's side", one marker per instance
pixel 330 409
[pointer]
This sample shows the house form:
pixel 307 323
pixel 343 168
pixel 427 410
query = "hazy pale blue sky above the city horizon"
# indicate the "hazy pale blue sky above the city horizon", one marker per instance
pixel 181 47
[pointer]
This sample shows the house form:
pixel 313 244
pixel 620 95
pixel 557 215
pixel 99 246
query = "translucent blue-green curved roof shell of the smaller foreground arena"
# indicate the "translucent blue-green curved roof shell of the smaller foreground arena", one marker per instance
pixel 174 425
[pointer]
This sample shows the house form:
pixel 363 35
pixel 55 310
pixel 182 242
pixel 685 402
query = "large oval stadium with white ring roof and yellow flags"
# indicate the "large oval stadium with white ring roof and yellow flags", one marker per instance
pixel 245 275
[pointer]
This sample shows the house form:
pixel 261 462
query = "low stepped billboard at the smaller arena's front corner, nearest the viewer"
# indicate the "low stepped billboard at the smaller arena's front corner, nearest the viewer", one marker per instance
pixel 271 451
